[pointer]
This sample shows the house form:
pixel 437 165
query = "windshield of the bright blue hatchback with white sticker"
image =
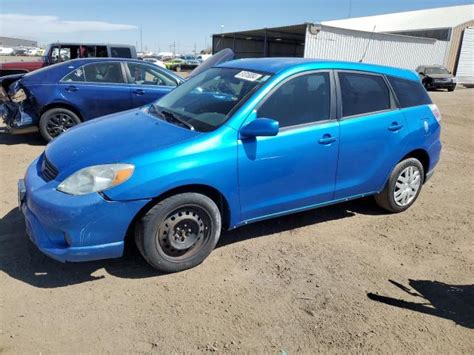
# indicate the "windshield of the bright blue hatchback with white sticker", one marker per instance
pixel 207 100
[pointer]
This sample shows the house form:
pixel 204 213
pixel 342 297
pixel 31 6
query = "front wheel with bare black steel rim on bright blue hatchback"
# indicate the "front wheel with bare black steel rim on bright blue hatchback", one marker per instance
pixel 179 232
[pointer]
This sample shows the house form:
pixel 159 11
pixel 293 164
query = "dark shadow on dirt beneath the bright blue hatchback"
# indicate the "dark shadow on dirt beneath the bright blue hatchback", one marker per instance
pixel 21 260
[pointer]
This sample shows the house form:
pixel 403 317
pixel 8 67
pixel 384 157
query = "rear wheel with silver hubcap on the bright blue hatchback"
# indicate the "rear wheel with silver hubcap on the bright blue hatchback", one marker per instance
pixel 398 195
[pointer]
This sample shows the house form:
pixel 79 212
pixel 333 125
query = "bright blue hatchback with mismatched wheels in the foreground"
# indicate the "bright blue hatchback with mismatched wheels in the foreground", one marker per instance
pixel 244 141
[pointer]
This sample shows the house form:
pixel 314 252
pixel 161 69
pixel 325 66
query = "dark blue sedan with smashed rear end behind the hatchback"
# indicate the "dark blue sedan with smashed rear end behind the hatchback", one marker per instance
pixel 60 96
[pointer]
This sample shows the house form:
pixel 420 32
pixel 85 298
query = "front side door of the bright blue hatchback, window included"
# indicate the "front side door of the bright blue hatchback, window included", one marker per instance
pixel 297 167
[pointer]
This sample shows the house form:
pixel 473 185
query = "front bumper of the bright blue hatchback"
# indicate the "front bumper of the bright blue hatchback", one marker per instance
pixel 74 228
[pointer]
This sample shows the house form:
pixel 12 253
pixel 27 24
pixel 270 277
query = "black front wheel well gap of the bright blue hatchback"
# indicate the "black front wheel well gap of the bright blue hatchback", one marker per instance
pixel 206 190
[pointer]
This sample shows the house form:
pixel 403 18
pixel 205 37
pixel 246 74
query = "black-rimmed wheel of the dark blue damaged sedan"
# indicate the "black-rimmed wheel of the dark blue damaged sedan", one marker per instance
pixel 56 121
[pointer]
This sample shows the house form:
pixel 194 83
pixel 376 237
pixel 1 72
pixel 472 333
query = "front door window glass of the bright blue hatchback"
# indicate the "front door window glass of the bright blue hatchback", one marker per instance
pixel 304 99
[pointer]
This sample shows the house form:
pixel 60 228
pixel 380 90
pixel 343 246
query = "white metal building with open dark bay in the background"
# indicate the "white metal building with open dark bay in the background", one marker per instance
pixel 405 39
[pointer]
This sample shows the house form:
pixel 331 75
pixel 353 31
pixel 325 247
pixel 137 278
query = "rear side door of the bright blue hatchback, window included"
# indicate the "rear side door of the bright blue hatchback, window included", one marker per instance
pixel 372 133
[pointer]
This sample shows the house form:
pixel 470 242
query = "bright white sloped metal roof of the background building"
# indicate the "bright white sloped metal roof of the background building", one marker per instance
pixel 441 17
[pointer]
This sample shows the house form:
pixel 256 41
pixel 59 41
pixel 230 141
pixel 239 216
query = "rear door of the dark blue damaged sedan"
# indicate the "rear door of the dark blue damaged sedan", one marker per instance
pixel 97 89
